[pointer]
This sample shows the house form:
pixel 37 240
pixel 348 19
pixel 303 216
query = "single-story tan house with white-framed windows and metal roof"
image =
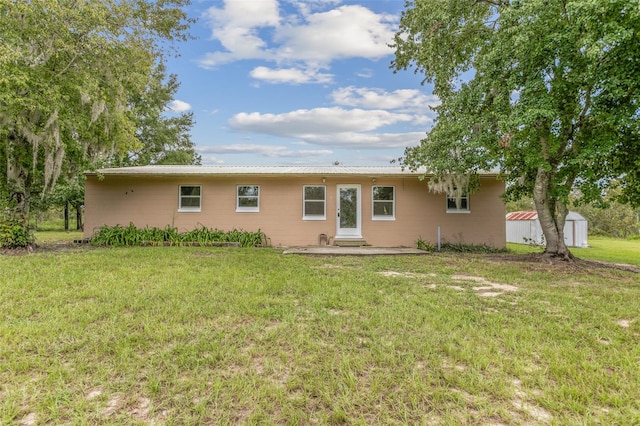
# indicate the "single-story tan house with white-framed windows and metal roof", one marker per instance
pixel 296 206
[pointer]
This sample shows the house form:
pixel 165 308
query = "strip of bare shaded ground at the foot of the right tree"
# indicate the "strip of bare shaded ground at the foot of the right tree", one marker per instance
pixel 535 260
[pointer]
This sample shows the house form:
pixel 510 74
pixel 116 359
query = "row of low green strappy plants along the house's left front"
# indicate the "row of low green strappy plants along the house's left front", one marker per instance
pixel 132 236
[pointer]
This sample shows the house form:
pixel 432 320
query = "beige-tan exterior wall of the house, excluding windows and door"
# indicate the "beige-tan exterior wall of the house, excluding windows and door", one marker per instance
pixel 153 201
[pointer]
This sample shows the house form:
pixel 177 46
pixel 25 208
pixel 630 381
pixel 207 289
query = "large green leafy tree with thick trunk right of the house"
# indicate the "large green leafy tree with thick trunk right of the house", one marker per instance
pixel 546 91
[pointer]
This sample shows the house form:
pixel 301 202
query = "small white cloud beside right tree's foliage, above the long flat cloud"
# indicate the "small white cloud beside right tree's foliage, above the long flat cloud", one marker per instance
pixel 402 99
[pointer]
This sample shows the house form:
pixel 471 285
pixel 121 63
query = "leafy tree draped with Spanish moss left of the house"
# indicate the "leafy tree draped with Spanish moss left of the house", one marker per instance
pixel 68 69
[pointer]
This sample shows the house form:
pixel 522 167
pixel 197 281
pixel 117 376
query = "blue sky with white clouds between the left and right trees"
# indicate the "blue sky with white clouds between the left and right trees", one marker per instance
pixel 298 82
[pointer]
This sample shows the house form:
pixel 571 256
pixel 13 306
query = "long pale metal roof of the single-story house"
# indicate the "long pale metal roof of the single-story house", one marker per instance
pixel 263 170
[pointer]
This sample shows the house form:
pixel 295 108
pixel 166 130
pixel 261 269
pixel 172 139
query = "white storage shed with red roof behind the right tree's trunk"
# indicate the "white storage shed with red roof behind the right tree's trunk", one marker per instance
pixel 524 228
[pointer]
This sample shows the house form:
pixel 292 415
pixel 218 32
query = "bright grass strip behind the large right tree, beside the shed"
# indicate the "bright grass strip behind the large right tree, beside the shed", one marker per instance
pixel 604 249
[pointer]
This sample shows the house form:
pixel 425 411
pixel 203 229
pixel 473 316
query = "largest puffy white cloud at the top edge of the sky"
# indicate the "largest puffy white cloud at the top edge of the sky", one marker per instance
pixel 256 30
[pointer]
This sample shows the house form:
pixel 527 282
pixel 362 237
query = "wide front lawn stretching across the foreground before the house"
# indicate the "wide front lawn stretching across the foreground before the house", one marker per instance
pixel 186 335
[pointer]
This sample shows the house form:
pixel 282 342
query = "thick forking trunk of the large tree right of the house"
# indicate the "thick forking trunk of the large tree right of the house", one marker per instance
pixel 552 215
